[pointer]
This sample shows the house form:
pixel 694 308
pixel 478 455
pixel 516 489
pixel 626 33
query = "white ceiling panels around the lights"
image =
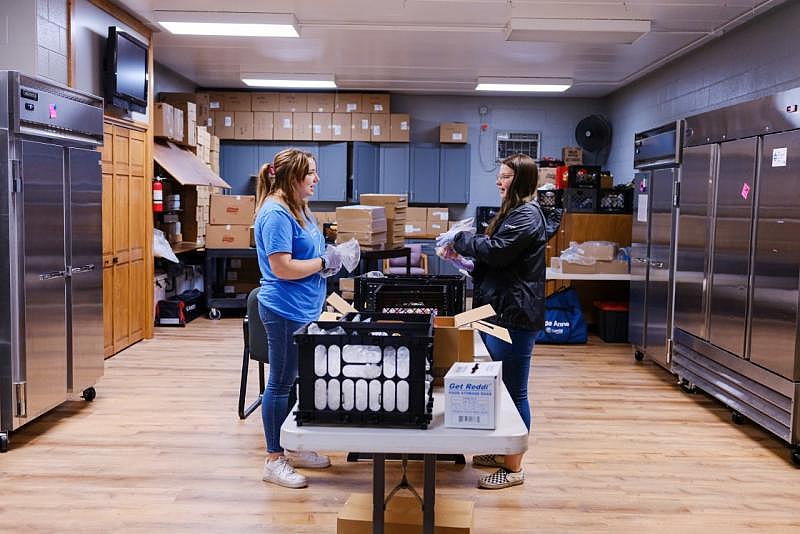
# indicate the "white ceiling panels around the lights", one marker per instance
pixel 441 46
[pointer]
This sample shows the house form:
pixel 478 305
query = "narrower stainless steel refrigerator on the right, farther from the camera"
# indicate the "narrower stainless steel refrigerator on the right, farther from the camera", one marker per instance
pixel 657 157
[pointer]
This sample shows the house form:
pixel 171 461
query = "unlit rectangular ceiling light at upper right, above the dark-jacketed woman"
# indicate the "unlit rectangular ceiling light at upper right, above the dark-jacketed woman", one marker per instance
pixel 591 31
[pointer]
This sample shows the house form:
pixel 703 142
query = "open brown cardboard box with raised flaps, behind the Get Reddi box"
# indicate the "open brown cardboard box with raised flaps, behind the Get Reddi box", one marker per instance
pixel 453 338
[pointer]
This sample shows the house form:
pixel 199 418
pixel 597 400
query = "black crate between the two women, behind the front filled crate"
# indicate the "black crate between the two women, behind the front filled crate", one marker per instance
pixel 400 293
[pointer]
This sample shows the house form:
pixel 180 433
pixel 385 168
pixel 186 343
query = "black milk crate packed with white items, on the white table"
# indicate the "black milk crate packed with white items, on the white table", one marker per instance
pixel 343 386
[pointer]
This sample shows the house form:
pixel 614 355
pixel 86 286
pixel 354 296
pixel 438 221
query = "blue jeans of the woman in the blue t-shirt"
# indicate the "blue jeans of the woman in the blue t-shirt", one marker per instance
pixel 282 374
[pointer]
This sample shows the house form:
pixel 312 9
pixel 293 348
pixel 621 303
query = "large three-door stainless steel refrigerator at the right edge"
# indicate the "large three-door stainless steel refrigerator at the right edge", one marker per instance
pixel 737 268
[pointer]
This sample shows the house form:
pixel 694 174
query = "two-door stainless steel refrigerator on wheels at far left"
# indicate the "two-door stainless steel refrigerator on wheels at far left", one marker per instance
pixel 51 291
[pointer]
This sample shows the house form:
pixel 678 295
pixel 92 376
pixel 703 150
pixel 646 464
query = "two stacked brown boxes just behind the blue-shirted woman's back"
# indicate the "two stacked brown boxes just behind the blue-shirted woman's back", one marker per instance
pixel 230 219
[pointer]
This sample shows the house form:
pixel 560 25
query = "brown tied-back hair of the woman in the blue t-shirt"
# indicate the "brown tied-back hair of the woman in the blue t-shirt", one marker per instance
pixel 288 169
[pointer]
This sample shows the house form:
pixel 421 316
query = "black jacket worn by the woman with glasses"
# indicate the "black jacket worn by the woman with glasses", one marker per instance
pixel 509 269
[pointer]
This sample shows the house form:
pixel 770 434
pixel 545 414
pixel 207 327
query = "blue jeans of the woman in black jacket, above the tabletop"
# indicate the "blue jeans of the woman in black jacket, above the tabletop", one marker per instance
pixel 516 358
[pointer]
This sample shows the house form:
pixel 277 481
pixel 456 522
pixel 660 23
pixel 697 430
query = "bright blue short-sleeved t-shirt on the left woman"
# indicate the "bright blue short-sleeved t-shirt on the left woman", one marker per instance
pixel 276 230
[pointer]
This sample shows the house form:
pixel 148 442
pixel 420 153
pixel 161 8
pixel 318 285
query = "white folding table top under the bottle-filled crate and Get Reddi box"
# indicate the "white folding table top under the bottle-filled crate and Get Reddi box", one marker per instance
pixel 510 436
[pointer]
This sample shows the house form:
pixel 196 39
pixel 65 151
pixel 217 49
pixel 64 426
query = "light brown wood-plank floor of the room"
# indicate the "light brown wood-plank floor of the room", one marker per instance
pixel 616 447
